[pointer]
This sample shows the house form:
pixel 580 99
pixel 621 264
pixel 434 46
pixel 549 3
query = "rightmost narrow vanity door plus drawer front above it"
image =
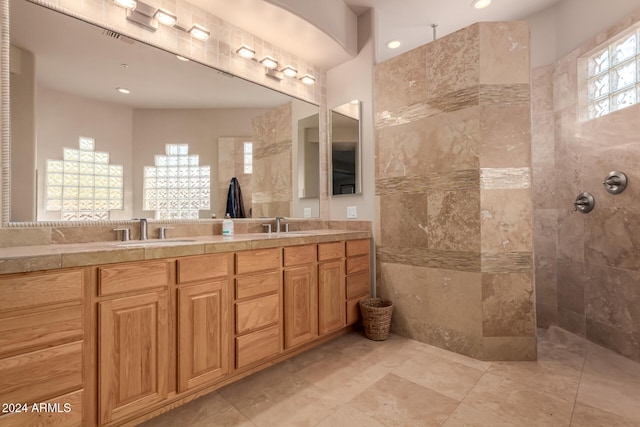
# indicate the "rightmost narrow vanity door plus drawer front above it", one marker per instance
pixel 331 282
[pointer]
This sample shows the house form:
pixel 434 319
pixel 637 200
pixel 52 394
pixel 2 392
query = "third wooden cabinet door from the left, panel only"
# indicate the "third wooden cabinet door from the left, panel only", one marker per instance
pixel 300 305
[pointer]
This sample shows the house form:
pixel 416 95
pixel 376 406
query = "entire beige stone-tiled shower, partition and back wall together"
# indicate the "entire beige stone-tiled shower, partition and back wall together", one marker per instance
pixel 458 220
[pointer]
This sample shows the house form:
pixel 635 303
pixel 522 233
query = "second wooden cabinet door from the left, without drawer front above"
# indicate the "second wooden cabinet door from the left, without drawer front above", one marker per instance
pixel 203 340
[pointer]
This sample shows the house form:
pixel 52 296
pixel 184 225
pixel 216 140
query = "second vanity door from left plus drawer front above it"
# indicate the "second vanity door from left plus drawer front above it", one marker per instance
pixel 203 319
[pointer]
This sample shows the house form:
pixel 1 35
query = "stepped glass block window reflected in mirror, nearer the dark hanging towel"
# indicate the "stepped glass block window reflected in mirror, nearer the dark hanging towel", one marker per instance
pixel 177 187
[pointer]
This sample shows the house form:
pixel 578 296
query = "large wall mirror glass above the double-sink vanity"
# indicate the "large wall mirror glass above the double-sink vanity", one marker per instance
pixel 82 148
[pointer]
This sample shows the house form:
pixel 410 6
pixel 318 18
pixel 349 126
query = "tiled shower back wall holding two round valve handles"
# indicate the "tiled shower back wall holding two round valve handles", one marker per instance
pixel 588 266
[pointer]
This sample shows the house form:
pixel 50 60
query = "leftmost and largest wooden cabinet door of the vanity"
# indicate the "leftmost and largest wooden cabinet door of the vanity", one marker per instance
pixel 133 354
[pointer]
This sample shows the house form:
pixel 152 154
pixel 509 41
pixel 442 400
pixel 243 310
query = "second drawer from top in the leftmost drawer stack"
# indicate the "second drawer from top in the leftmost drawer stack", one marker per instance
pixel 44 329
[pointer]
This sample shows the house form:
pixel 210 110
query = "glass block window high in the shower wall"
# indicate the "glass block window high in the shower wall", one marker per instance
pixel 614 76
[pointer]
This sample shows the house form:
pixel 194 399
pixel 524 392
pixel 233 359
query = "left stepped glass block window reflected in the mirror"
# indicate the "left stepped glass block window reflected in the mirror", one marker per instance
pixel 83 185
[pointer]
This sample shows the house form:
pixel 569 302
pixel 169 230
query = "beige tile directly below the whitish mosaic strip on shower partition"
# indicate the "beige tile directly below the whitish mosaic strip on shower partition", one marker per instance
pixel 506 227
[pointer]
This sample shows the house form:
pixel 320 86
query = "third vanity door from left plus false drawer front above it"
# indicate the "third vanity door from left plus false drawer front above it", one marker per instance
pixel 300 295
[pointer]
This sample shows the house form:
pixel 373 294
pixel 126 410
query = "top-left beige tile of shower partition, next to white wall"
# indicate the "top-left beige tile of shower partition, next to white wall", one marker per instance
pixel 393 89
